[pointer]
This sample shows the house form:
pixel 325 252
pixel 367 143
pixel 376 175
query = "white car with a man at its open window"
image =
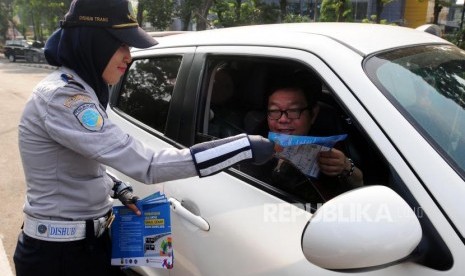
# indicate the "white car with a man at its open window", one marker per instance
pixel 398 93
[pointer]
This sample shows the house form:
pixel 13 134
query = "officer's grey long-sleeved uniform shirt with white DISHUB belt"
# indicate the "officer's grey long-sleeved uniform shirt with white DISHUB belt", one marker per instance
pixel 64 137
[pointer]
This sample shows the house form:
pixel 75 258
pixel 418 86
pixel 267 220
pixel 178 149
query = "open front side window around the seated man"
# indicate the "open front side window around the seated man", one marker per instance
pixel 236 93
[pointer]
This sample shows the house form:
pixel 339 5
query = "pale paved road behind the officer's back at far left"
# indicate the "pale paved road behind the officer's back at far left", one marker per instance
pixel 16 83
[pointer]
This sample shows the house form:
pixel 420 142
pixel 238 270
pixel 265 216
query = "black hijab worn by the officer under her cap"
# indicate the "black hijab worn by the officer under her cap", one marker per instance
pixel 87 51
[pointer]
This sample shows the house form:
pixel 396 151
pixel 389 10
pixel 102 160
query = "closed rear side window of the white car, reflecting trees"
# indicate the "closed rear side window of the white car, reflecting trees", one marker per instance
pixel 147 90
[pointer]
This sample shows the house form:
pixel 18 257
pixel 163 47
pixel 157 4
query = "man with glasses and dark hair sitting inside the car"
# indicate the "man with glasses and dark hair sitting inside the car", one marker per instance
pixel 293 109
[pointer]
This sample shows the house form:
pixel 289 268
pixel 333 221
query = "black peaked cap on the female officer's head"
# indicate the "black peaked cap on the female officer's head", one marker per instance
pixel 117 16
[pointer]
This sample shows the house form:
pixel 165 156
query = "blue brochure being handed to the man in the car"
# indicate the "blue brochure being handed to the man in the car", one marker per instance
pixel 302 151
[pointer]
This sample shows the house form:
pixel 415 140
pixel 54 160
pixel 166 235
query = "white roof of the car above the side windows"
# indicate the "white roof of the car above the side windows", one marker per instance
pixel 363 38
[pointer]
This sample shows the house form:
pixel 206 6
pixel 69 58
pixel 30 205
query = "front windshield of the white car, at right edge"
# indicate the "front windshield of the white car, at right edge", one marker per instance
pixel 427 84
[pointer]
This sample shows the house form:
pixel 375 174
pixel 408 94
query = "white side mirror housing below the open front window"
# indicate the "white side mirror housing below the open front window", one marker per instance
pixel 362 228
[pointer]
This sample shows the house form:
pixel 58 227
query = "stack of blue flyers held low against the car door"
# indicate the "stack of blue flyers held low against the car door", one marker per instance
pixel 143 240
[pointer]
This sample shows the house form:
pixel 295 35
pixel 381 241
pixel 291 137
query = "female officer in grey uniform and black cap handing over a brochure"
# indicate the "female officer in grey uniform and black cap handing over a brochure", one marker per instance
pixel 66 139
